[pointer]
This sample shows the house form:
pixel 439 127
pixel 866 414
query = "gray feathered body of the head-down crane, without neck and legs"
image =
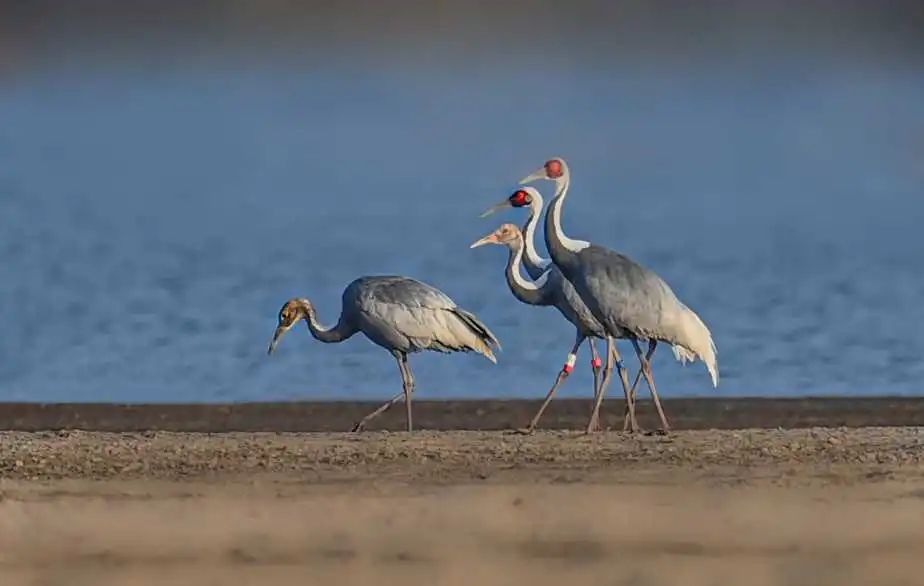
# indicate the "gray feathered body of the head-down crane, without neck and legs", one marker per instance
pixel 405 315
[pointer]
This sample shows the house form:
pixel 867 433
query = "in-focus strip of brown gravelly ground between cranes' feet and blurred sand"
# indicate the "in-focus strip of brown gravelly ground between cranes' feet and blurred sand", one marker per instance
pixel 443 456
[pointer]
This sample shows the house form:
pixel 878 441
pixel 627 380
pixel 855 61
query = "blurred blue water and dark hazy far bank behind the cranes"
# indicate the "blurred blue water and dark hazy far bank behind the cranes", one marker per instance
pixel 170 174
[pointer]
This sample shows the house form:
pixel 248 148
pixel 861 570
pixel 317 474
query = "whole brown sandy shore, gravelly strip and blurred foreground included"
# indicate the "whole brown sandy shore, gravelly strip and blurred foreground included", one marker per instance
pixel 810 506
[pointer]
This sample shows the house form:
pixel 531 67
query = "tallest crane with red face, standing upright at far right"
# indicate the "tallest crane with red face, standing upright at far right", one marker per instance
pixel 624 297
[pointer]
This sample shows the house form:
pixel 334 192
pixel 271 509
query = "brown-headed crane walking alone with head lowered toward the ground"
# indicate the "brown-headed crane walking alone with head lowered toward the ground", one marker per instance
pixel 401 315
